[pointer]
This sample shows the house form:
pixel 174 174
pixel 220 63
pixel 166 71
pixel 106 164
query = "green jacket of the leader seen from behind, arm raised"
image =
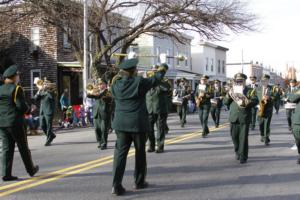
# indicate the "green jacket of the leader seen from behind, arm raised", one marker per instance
pixel 130 97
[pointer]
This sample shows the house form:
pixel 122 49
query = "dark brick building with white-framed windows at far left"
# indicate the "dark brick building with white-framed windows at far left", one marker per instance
pixel 42 50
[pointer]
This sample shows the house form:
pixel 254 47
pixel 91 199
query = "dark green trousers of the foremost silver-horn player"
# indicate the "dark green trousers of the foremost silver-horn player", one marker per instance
pixel 239 134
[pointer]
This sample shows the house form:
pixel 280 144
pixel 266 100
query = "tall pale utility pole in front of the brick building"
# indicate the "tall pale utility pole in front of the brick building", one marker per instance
pixel 85 48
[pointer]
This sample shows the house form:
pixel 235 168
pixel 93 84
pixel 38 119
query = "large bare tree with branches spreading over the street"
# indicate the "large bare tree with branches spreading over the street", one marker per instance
pixel 112 31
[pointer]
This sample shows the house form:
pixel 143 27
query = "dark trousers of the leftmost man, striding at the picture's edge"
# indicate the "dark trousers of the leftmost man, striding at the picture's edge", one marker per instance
pixel 10 136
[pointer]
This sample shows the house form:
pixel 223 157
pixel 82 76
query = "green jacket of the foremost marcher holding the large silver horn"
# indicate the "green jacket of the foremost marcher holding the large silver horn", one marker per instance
pixel 241 115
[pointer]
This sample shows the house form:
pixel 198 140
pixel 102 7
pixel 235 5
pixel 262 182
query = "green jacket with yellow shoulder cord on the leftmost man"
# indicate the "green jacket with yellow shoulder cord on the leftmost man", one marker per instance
pixel 12 106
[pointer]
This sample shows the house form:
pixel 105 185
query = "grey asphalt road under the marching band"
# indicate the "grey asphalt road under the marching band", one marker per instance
pixel 191 167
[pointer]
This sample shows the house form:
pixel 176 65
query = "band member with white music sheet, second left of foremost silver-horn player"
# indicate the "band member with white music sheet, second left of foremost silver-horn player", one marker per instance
pixel 203 95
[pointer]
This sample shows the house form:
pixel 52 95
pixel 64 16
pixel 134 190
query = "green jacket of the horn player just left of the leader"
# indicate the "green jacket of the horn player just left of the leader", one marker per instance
pixel 103 105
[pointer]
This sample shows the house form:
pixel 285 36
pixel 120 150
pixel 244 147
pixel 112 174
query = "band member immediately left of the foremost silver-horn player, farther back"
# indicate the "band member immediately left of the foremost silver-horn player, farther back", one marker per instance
pixel 216 102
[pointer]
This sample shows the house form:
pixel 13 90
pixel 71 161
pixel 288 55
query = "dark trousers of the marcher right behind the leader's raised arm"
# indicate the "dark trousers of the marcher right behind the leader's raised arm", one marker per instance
pixel 160 120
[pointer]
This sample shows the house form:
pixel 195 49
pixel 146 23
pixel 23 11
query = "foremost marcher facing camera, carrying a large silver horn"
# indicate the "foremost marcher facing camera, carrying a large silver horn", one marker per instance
pixel 240 115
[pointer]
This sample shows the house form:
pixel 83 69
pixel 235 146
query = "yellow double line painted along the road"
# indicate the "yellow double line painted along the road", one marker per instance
pixel 56 175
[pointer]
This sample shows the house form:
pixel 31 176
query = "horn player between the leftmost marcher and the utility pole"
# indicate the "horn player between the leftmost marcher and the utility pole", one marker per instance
pixel 46 96
